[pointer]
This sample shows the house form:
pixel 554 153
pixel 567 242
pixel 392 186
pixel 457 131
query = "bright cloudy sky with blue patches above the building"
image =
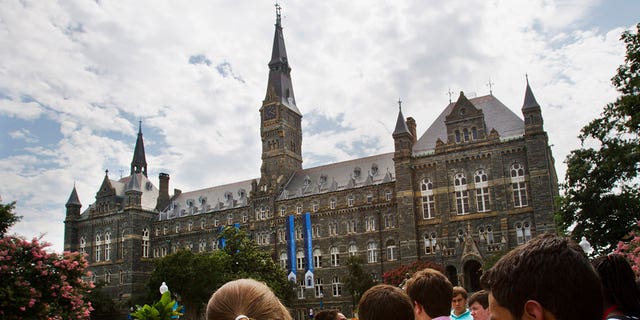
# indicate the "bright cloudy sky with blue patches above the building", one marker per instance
pixel 76 77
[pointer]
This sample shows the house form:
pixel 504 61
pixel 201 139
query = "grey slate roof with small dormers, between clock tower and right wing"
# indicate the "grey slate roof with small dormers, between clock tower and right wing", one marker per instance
pixel 340 176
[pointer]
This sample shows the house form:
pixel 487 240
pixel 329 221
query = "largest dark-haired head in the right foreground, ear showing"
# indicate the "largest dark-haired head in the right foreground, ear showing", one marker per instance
pixel 549 277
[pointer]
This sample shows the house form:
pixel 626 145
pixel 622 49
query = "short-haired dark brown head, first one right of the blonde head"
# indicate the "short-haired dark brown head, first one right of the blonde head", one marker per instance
pixel 384 301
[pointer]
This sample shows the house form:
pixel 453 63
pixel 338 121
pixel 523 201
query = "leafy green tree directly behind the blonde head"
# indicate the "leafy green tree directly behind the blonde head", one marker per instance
pixel 195 276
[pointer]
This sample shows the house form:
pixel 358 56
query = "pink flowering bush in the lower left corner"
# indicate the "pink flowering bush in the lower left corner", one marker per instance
pixel 35 284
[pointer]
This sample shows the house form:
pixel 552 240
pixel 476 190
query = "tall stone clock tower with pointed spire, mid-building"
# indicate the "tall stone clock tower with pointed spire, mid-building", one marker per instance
pixel 280 125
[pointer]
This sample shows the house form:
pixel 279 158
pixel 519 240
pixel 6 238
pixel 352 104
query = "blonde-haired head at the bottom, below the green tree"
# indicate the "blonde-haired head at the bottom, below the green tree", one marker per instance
pixel 247 297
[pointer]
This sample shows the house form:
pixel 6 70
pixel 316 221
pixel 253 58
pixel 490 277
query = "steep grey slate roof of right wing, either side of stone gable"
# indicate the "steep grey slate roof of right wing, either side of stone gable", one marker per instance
pixel 496 115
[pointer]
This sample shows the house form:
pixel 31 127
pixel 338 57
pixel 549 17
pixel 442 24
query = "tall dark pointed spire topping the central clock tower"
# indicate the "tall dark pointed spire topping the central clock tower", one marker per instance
pixel 279 70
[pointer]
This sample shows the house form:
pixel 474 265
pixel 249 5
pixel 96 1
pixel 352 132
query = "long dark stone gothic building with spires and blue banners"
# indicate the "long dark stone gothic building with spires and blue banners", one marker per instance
pixel 479 181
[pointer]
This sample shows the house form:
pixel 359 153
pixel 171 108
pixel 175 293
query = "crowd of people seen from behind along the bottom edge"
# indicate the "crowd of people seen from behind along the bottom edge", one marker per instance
pixel 549 277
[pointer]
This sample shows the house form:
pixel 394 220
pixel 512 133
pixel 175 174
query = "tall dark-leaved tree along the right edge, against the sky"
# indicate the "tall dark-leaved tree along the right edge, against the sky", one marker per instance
pixel 601 191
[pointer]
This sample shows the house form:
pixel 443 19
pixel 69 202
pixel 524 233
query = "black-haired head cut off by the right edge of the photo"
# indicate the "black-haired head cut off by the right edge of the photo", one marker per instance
pixel 618 283
